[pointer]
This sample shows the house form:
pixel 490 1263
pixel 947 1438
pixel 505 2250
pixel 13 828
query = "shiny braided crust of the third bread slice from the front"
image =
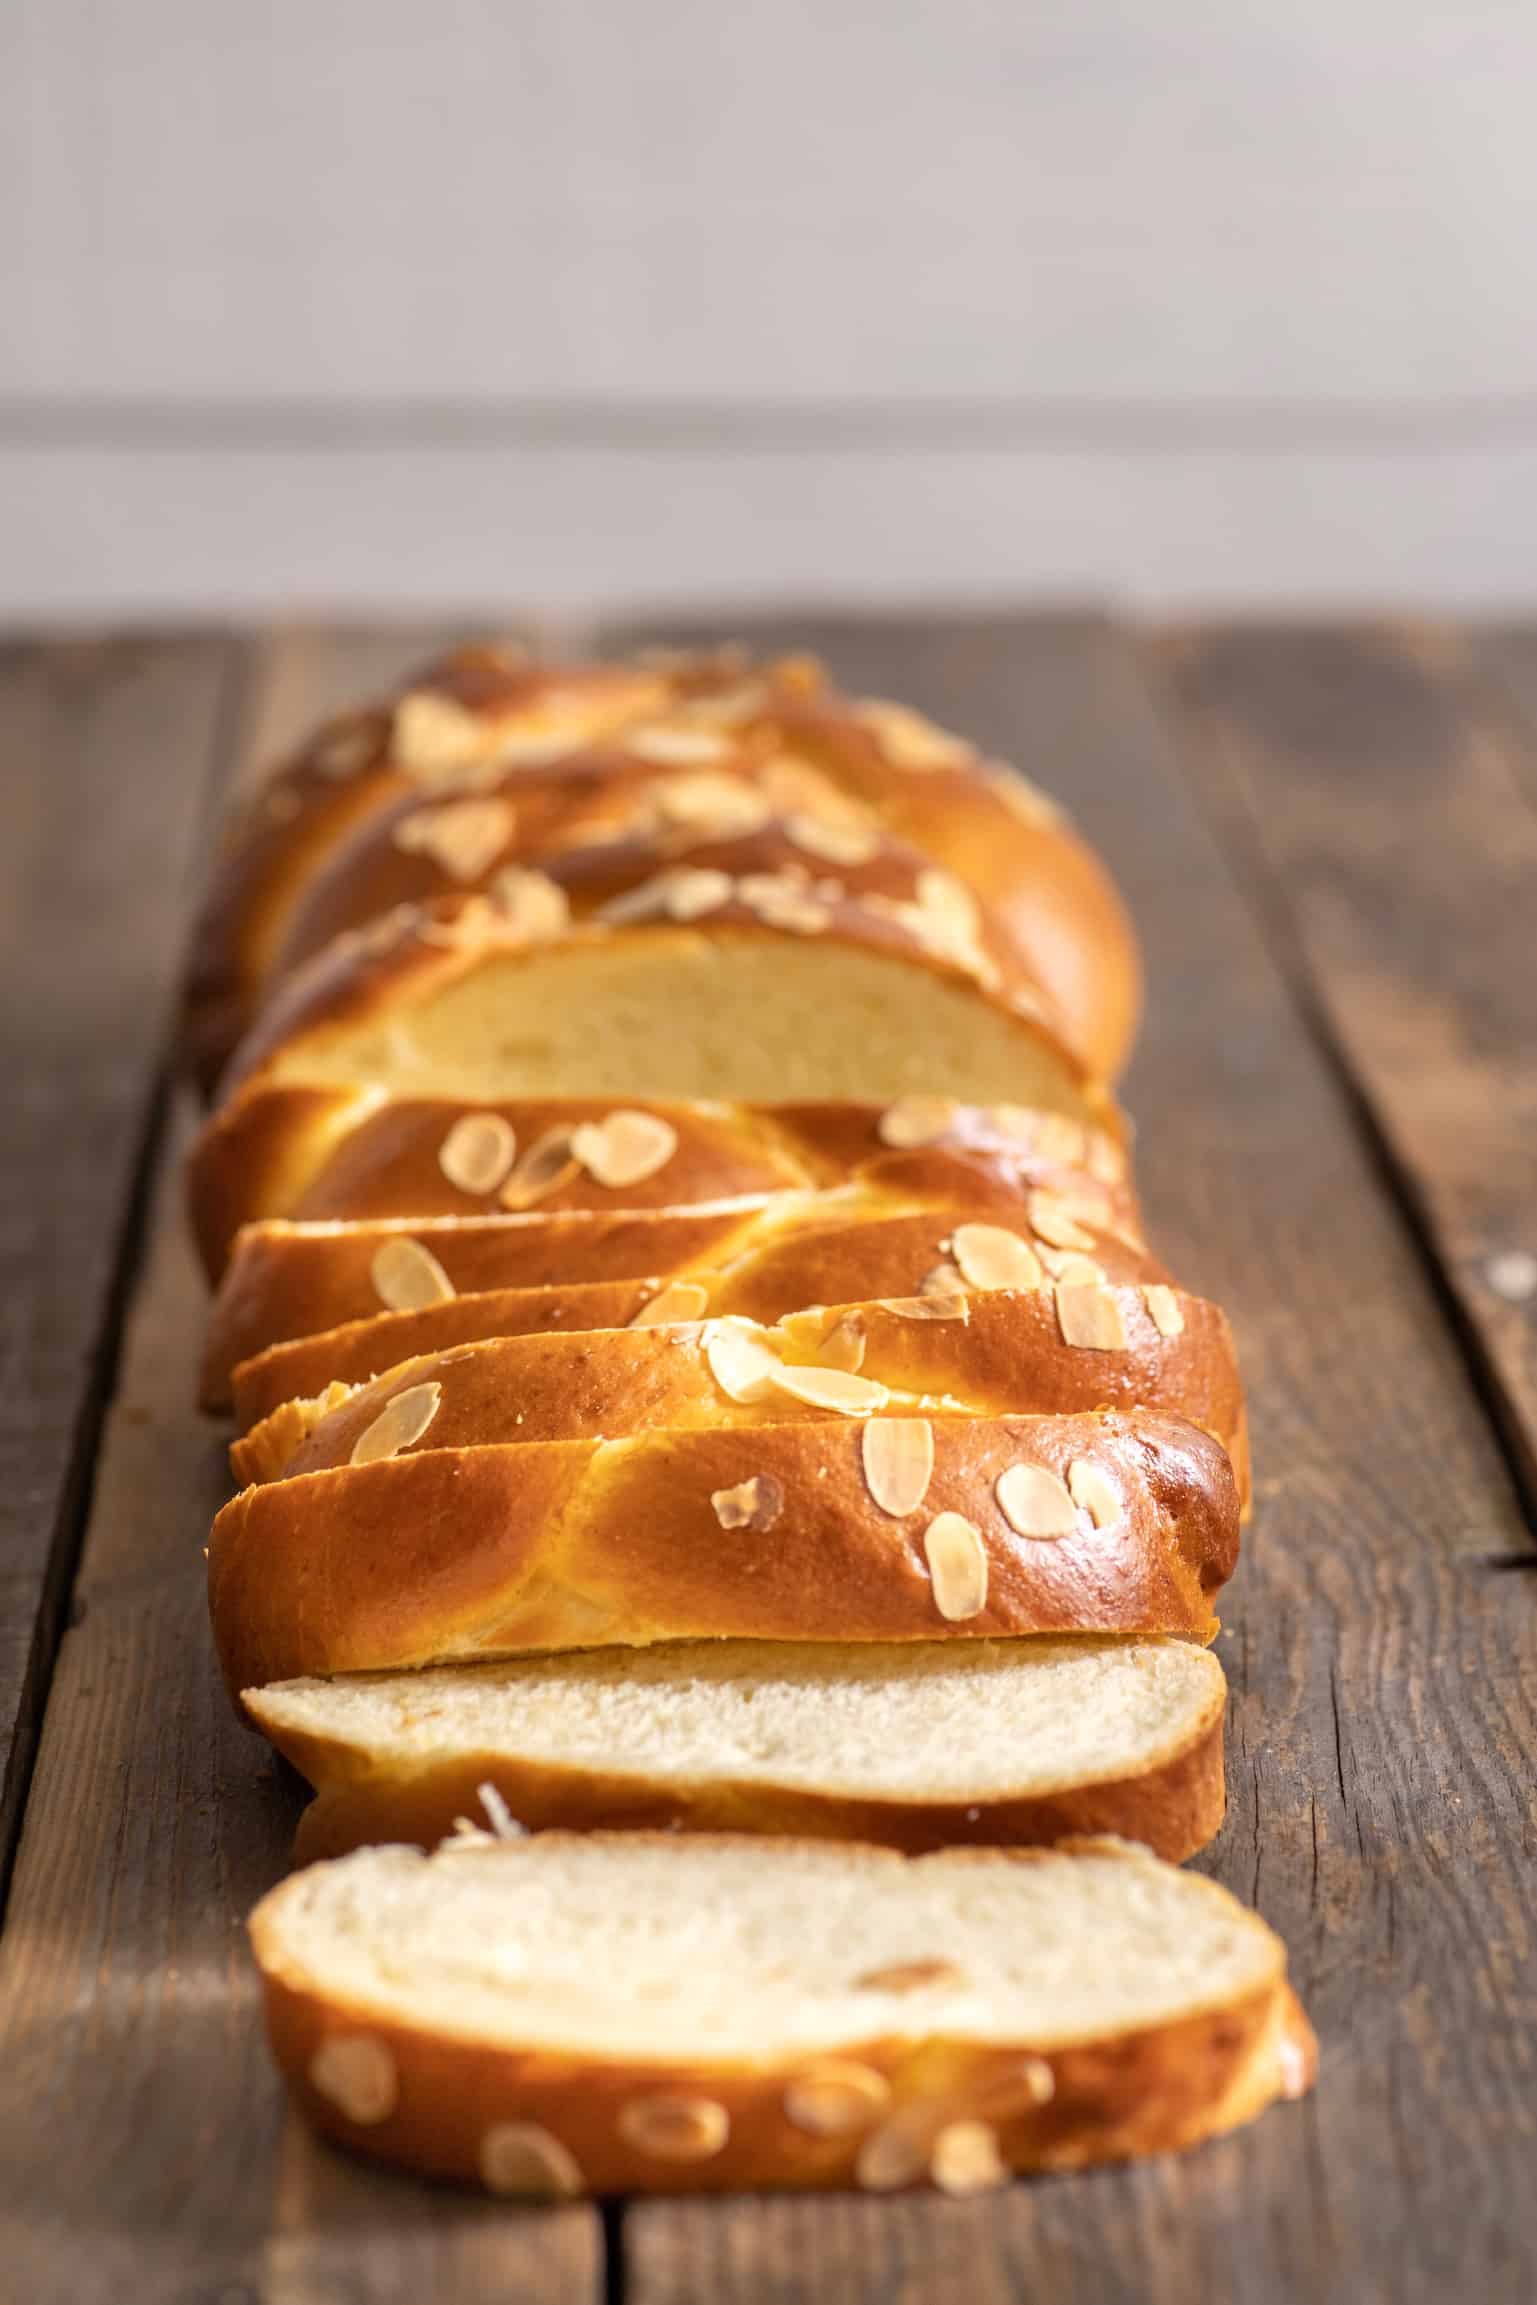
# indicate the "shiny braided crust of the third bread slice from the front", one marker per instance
pixel 450 1555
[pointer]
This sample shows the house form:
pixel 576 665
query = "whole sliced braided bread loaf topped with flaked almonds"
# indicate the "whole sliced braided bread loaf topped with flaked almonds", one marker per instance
pixel 699 1363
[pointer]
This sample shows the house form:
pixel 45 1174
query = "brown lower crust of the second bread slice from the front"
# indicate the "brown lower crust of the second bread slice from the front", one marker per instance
pixel 1174 1806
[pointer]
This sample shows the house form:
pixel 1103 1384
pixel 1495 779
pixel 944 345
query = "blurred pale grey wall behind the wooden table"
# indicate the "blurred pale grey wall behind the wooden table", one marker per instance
pixel 331 303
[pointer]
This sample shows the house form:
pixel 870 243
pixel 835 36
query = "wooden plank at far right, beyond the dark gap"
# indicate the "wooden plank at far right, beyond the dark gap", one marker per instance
pixel 1384 787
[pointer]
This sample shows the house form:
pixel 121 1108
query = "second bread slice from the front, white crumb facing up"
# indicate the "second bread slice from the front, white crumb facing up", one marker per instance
pixel 916 1746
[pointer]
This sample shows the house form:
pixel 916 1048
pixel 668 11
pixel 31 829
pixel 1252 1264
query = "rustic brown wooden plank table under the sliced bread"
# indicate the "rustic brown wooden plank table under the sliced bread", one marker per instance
pixel 1331 845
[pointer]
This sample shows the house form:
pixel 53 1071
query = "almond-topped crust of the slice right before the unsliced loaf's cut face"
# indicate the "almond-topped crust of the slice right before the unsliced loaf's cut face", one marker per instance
pixel 319 1154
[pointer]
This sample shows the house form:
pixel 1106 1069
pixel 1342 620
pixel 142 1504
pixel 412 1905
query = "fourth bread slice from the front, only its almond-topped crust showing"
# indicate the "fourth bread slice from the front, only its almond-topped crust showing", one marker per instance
pixel 923 1359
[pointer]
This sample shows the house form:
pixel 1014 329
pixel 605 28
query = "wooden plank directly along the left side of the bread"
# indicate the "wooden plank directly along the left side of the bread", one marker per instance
pixel 144 2142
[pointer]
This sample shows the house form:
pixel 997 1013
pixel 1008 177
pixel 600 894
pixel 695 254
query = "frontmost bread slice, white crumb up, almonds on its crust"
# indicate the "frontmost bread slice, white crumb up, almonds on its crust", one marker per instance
pixel 667 2013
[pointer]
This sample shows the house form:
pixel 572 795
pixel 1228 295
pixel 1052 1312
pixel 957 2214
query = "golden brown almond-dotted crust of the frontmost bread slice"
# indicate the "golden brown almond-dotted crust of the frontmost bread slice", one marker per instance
pixel 1153 2089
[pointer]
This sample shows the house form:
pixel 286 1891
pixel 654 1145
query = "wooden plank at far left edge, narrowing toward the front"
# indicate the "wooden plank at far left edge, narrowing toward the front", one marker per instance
pixel 105 766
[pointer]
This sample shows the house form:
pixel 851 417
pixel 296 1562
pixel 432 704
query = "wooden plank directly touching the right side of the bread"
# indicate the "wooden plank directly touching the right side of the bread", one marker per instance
pixel 1384 1670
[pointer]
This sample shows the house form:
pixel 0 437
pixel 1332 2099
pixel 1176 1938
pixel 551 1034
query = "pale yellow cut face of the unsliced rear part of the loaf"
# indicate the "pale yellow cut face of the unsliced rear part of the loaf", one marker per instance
pixel 464 1006
